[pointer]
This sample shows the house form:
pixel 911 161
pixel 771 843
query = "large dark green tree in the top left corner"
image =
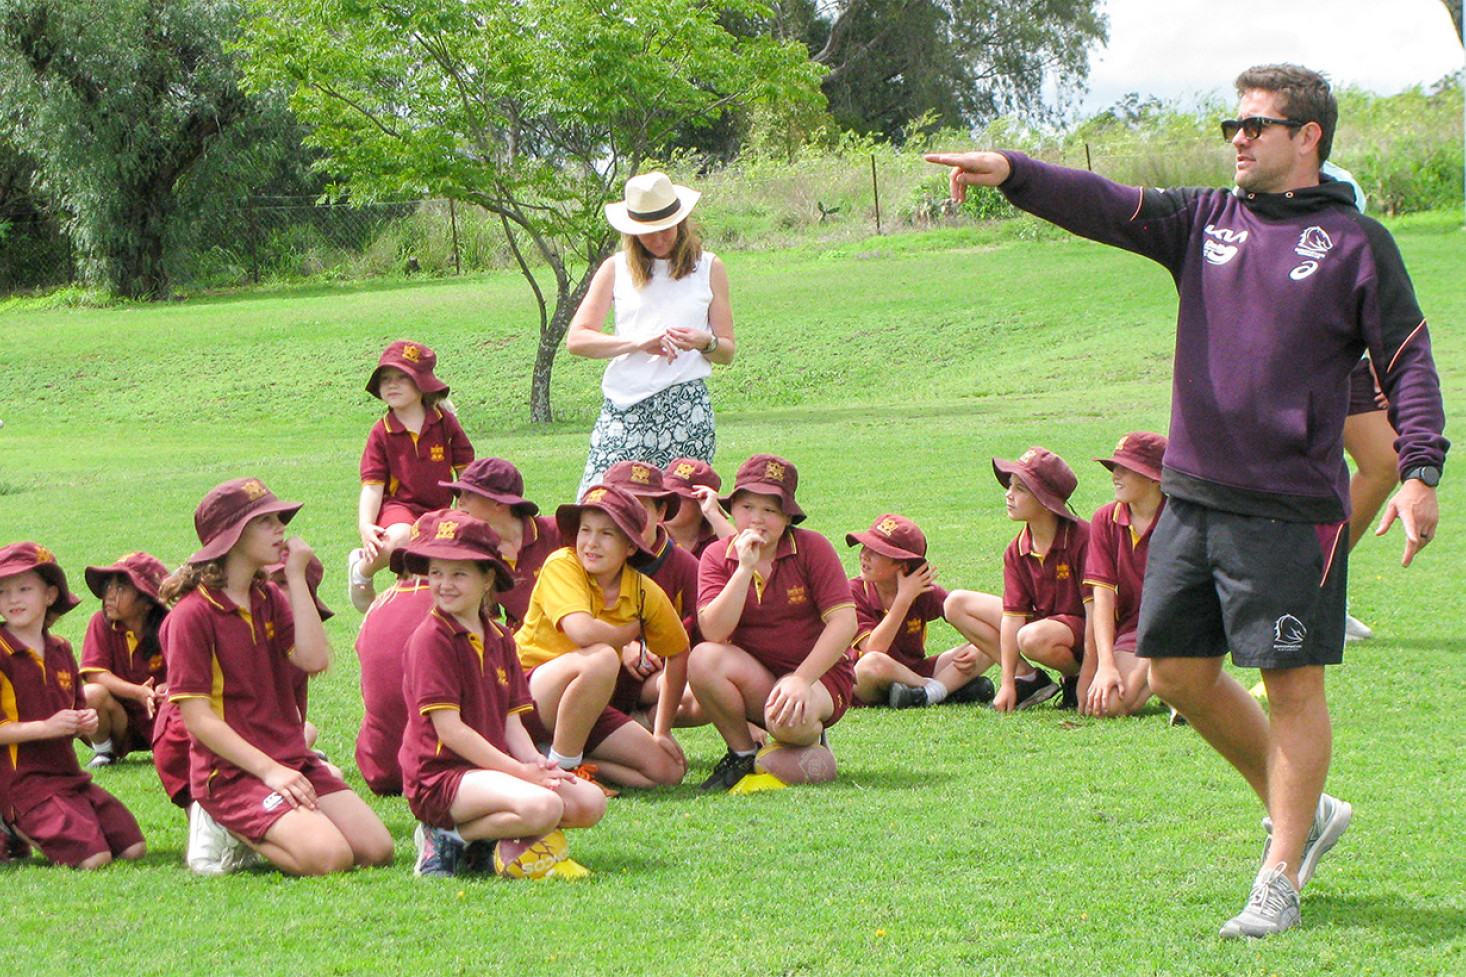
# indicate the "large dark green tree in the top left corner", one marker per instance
pixel 117 102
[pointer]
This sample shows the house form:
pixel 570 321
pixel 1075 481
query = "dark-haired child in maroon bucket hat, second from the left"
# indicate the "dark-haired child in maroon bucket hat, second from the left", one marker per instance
pixel 122 658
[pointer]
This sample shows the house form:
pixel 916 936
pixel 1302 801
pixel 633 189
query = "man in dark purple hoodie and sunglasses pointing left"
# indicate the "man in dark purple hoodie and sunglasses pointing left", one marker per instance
pixel 1283 284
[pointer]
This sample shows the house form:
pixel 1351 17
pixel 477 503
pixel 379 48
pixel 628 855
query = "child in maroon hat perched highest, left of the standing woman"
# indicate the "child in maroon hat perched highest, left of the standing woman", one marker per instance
pixel 411 454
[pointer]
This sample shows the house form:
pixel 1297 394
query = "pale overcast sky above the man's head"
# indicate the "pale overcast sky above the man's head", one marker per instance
pixel 1187 48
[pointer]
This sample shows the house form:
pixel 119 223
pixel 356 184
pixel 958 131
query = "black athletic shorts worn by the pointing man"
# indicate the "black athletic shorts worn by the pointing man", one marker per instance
pixel 1270 592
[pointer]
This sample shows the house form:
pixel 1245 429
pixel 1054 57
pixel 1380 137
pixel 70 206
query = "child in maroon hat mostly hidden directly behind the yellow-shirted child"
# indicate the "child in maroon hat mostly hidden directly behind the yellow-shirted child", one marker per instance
pixel 677 573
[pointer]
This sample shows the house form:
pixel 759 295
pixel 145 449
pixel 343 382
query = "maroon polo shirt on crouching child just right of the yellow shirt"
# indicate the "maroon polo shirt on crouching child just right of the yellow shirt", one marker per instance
pixel 784 615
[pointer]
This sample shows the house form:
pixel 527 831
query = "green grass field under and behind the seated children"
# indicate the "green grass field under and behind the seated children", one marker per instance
pixel 955 841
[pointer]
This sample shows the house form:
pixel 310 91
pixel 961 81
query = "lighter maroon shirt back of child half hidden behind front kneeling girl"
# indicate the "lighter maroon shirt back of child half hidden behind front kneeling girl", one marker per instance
pixel 382 646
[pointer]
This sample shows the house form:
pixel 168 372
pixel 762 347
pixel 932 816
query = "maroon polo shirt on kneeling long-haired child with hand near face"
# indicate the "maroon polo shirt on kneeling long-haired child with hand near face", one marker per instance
pixel 240 661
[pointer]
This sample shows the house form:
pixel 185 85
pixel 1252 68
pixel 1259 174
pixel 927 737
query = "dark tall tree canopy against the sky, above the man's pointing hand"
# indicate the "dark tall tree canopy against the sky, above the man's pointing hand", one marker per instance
pixel 958 61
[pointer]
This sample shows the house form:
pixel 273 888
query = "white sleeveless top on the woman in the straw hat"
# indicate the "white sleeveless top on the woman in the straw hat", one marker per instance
pixel 644 313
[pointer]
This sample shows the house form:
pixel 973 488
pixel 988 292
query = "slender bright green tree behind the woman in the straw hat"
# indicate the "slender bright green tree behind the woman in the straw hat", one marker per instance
pixel 536 111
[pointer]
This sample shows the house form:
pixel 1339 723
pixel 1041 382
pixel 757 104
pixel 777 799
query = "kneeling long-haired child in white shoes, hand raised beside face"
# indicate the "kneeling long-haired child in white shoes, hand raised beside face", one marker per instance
pixel 237 646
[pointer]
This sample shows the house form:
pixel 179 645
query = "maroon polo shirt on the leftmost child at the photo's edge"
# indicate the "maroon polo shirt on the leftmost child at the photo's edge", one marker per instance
pixel 36 686
